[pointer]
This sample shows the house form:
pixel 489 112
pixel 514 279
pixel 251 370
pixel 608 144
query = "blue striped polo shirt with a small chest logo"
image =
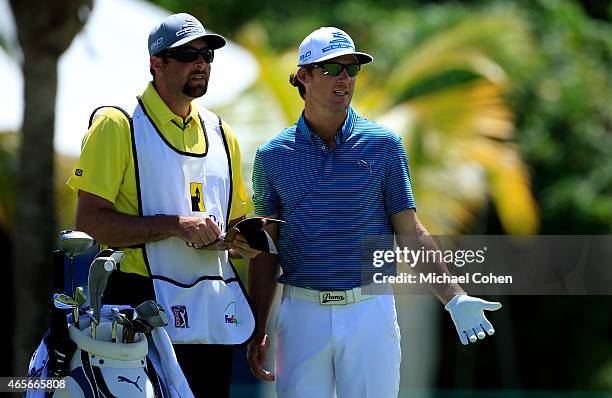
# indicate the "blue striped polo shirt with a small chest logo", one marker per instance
pixel 330 199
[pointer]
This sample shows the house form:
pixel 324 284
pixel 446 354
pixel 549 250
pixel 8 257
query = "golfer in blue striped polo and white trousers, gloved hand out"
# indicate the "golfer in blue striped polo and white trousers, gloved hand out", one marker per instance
pixel 335 177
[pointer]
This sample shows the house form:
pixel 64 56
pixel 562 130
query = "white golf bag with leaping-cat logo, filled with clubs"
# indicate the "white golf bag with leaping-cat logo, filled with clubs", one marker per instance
pixel 82 346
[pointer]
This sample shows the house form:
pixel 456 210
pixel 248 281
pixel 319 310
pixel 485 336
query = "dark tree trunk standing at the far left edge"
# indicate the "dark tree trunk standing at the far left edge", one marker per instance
pixel 43 35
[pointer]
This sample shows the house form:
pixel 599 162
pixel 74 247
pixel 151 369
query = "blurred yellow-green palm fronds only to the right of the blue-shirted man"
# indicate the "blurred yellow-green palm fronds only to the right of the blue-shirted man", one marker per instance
pixel 459 136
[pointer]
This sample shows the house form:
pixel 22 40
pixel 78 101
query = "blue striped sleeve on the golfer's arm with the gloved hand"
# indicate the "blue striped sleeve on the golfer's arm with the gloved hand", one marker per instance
pixel 397 188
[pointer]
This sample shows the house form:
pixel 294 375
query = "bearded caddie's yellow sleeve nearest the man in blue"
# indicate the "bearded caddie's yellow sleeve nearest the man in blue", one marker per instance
pixel 241 202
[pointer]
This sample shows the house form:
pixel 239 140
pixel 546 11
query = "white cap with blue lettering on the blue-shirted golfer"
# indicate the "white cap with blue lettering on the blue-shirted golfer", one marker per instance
pixel 327 43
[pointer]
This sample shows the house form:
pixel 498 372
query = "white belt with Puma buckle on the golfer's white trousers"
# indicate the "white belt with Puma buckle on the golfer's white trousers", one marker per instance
pixel 329 297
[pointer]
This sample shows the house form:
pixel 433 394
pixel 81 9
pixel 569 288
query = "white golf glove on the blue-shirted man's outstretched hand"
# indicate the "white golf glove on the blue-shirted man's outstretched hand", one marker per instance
pixel 468 315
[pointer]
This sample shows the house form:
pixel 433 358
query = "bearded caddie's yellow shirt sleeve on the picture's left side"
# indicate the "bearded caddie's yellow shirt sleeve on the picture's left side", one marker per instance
pixel 105 153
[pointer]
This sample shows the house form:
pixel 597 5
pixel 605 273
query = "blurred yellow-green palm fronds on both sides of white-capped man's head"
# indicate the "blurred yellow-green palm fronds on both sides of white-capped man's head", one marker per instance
pixel 458 136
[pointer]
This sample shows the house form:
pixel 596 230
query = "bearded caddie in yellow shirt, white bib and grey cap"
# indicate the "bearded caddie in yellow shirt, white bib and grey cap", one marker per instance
pixel 161 182
